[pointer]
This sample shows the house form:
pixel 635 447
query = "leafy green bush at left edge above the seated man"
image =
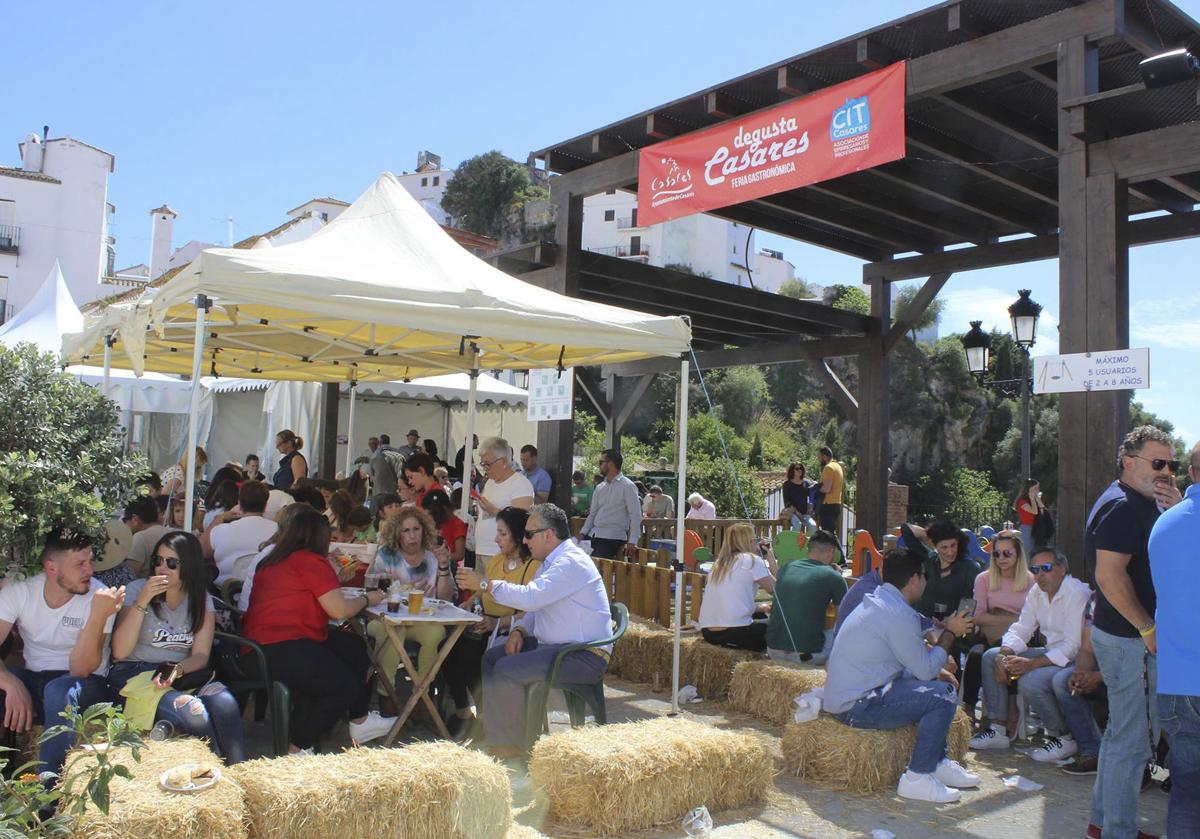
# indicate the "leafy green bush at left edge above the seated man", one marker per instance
pixel 64 462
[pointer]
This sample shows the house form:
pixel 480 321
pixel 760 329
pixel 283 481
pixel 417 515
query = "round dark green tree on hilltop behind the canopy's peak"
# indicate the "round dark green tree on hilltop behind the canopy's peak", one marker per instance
pixel 488 191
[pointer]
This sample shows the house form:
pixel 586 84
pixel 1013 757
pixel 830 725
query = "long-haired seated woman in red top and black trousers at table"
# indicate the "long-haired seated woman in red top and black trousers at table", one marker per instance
pixel 296 595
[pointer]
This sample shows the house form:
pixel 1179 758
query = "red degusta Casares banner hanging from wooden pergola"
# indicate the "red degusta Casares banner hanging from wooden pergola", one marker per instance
pixel 851 127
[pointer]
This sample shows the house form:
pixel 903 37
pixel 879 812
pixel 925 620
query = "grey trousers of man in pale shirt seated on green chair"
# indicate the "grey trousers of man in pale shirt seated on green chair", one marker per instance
pixel 506 679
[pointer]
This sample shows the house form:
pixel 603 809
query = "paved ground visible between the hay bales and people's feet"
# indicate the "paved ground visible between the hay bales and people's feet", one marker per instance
pixel 800 810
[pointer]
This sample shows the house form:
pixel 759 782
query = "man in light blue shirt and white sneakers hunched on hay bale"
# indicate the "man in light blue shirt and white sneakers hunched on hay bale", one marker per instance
pixel 883 675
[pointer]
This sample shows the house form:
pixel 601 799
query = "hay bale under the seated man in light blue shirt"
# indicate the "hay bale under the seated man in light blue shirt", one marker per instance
pixel 863 760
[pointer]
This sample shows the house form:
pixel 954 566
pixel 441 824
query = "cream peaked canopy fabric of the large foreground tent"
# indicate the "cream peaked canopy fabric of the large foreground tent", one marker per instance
pixel 381 293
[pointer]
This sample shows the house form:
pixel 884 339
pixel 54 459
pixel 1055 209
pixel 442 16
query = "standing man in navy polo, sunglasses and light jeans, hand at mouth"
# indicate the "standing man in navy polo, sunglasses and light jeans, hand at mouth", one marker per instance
pixel 1124 632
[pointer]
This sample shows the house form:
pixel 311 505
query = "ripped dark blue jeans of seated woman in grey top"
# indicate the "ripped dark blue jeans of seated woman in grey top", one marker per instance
pixel 215 718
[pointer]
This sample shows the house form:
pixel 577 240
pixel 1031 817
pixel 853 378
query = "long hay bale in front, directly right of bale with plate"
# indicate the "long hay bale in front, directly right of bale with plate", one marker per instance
pixel 429 790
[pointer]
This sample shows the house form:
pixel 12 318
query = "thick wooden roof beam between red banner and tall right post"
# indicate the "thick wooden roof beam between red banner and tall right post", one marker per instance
pixel 1003 52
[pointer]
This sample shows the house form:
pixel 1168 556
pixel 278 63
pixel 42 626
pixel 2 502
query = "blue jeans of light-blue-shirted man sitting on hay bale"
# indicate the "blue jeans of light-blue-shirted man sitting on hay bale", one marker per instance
pixel 931 705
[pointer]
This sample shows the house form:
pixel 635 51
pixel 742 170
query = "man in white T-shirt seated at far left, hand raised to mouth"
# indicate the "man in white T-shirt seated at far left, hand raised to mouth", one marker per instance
pixel 65 620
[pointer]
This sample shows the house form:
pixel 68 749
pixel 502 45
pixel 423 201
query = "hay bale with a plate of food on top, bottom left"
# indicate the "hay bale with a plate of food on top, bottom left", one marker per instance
pixel 139 807
